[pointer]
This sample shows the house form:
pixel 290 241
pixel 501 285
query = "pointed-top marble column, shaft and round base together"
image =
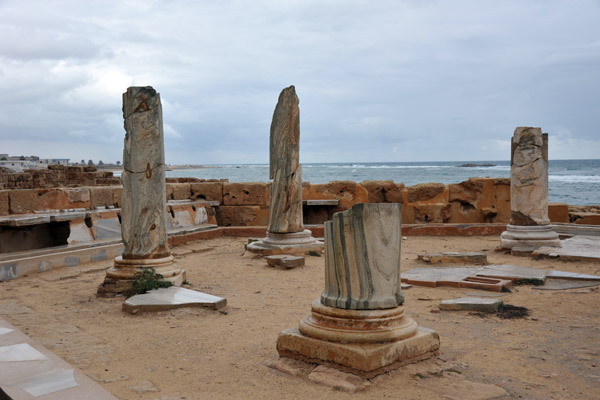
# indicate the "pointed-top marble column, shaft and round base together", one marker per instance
pixel 285 233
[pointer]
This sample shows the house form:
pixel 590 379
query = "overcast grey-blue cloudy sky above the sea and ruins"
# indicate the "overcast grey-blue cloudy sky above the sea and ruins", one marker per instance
pixel 378 80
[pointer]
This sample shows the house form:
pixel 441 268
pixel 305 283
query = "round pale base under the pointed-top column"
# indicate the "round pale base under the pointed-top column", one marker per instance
pixel 286 243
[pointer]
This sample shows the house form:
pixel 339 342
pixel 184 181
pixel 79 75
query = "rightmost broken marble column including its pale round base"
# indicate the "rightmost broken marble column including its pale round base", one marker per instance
pixel 529 226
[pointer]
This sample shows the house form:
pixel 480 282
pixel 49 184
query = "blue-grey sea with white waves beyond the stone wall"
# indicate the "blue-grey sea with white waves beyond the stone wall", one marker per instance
pixel 575 182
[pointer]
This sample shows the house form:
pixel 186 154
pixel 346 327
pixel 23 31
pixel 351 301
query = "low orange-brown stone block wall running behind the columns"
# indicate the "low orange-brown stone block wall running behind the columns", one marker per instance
pixel 477 200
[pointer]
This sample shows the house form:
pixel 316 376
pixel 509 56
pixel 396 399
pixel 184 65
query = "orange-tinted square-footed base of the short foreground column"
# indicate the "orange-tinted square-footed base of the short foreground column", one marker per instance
pixel 363 342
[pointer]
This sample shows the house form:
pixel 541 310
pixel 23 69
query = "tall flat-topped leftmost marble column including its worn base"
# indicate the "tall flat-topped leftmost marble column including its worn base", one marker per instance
pixel 143 210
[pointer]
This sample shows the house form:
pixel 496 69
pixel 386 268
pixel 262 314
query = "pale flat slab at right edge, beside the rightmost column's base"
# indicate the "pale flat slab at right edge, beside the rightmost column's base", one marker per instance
pixel 577 248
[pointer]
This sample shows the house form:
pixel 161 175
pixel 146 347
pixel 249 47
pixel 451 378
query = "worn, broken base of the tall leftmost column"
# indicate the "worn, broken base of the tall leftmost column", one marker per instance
pixel 119 278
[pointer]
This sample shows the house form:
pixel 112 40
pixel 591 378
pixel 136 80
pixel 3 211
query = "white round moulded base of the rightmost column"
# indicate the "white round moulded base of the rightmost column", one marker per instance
pixel 529 237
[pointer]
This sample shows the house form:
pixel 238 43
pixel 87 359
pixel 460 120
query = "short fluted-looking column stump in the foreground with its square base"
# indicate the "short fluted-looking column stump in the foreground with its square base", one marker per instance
pixel 358 323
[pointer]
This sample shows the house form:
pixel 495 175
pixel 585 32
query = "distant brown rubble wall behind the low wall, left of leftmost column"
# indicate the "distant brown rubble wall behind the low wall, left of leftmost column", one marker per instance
pixel 57 176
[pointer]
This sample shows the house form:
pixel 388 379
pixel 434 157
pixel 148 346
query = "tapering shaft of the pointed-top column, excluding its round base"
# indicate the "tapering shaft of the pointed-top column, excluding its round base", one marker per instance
pixel 285 206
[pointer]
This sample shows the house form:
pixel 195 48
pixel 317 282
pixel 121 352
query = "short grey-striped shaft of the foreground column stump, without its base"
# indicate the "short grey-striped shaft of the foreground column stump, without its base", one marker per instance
pixel 362 258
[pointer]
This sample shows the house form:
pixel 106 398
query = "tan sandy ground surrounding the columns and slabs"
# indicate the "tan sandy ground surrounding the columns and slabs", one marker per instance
pixel 204 354
